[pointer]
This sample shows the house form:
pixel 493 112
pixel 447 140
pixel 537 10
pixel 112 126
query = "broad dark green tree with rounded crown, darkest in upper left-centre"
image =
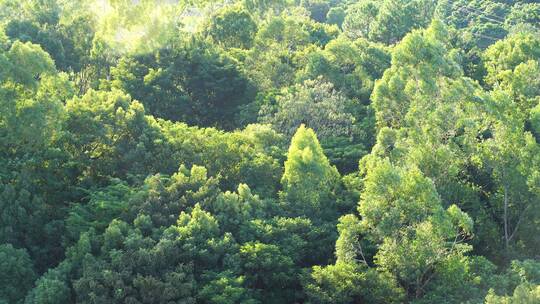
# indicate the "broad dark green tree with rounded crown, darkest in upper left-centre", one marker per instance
pixel 191 82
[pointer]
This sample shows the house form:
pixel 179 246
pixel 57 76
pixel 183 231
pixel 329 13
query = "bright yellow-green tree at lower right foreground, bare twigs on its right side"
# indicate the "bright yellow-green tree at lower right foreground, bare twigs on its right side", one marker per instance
pixel 402 211
